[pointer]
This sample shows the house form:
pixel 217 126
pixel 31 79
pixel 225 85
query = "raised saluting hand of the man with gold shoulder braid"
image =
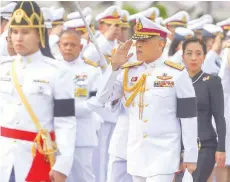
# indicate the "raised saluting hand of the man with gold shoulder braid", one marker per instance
pixel 121 56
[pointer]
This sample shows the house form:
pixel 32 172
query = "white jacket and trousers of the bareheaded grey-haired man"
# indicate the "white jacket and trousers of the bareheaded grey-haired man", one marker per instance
pixel 84 78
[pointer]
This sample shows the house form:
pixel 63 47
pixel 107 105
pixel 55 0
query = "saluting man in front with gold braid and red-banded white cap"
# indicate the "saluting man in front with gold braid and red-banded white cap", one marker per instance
pixel 156 93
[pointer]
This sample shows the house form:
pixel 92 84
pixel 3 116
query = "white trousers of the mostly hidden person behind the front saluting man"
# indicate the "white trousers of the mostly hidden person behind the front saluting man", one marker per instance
pixel 117 170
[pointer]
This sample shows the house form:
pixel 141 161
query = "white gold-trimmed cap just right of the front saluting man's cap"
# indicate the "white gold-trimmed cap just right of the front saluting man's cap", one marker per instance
pixel 179 19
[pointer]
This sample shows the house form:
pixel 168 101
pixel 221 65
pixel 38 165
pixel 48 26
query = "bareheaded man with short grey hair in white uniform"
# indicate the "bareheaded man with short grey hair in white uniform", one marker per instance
pixel 84 78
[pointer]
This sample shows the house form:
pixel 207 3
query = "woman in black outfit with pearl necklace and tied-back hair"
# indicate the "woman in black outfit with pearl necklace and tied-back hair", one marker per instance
pixel 210 102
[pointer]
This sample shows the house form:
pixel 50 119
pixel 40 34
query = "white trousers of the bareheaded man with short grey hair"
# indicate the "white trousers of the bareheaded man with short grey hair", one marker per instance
pixel 82 170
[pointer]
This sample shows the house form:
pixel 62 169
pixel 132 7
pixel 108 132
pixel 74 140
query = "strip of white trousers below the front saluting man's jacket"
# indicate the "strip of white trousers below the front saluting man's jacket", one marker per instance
pixel 157 178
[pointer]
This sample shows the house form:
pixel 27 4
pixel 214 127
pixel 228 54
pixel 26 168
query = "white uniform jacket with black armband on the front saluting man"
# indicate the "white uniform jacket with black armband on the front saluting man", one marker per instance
pixel 154 142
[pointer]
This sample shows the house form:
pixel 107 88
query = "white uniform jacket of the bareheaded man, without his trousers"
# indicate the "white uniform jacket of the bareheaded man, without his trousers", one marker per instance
pixel 84 78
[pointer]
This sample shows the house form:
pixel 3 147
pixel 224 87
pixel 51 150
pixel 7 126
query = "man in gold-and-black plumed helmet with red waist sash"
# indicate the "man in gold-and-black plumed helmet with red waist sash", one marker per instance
pixel 37 115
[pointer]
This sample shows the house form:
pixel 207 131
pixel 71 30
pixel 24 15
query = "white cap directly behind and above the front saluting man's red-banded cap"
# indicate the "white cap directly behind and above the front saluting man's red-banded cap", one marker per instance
pixel 151 13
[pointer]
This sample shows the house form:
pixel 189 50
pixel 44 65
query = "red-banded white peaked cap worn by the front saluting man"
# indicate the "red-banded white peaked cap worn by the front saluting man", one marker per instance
pixel 146 29
